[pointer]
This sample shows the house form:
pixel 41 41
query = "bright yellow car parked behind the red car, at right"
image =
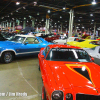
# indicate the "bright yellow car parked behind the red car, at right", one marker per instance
pixel 85 43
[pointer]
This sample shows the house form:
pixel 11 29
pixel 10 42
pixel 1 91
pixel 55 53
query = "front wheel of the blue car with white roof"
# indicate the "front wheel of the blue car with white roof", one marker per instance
pixel 7 57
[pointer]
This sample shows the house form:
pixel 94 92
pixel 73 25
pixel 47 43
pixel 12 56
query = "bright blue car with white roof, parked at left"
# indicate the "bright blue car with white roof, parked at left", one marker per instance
pixel 21 45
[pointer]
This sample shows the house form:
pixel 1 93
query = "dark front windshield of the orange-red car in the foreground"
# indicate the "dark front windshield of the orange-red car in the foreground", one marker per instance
pixel 68 54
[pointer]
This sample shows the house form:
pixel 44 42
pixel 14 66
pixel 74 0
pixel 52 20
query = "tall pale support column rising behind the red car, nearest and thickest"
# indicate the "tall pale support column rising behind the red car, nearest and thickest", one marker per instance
pixel 71 23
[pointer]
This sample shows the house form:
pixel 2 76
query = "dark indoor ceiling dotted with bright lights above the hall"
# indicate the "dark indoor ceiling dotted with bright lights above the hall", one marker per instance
pixel 85 14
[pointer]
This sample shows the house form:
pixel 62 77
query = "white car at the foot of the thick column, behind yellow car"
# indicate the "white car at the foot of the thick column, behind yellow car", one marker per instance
pixel 65 40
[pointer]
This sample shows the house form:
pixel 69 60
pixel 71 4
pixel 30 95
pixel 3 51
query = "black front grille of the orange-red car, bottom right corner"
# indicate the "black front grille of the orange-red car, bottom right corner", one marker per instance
pixel 87 97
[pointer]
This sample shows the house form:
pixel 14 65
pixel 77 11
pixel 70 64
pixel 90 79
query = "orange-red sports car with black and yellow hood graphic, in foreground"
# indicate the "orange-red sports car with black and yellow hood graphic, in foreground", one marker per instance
pixel 68 73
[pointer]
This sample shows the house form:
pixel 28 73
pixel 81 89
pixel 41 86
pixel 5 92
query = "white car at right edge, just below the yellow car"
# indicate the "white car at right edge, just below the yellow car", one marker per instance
pixel 94 52
